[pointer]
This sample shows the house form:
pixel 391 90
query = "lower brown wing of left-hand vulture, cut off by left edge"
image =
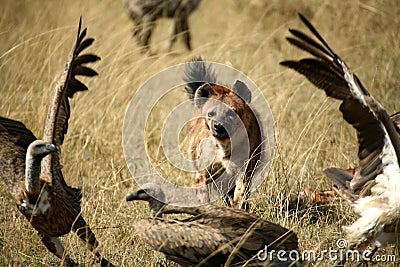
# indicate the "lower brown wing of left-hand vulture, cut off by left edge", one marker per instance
pixel 14 141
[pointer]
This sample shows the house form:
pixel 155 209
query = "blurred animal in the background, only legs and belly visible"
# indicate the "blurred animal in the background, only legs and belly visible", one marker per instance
pixel 144 13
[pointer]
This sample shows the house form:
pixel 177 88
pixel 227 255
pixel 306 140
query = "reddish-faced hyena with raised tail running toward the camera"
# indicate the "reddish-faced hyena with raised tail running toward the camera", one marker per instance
pixel 216 108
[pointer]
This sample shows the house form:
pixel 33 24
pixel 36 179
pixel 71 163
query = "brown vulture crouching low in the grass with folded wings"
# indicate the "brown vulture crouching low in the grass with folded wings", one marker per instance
pixel 213 235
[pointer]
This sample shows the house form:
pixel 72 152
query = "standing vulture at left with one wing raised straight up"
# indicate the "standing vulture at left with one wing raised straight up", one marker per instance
pixel 31 168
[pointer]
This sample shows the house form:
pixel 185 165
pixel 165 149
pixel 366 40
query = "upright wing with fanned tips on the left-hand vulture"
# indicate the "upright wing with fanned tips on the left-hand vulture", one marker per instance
pixel 59 112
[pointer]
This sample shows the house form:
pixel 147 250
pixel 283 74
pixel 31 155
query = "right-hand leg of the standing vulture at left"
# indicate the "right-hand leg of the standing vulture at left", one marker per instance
pixel 86 235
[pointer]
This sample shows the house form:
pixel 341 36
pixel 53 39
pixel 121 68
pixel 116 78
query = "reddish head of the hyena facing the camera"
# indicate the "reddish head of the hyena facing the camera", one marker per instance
pixel 223 108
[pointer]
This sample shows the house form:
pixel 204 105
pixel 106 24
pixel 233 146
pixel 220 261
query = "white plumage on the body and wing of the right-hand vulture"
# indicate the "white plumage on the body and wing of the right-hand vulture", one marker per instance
pixel 382 207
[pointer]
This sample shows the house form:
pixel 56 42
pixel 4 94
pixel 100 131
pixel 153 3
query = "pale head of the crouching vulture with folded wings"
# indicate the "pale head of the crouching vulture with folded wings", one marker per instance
pixel 151 193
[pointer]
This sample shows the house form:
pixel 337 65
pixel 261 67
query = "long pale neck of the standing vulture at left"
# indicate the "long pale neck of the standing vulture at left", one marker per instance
pixel 32 174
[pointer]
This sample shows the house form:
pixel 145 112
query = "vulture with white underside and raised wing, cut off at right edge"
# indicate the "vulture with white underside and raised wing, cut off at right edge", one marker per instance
pixel 372 188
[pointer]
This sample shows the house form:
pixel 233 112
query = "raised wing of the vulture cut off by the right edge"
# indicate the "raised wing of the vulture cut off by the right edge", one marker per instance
pixel 376 132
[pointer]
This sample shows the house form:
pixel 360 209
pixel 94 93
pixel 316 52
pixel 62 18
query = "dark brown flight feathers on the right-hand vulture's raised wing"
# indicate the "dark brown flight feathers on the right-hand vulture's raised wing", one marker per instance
pixel 326 73
